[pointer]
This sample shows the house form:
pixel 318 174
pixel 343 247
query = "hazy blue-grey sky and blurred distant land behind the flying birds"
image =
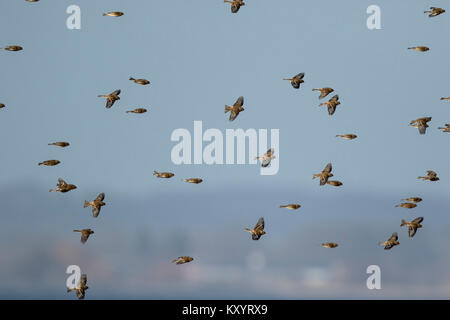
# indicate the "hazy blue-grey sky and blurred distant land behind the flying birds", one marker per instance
pixel 200 57
